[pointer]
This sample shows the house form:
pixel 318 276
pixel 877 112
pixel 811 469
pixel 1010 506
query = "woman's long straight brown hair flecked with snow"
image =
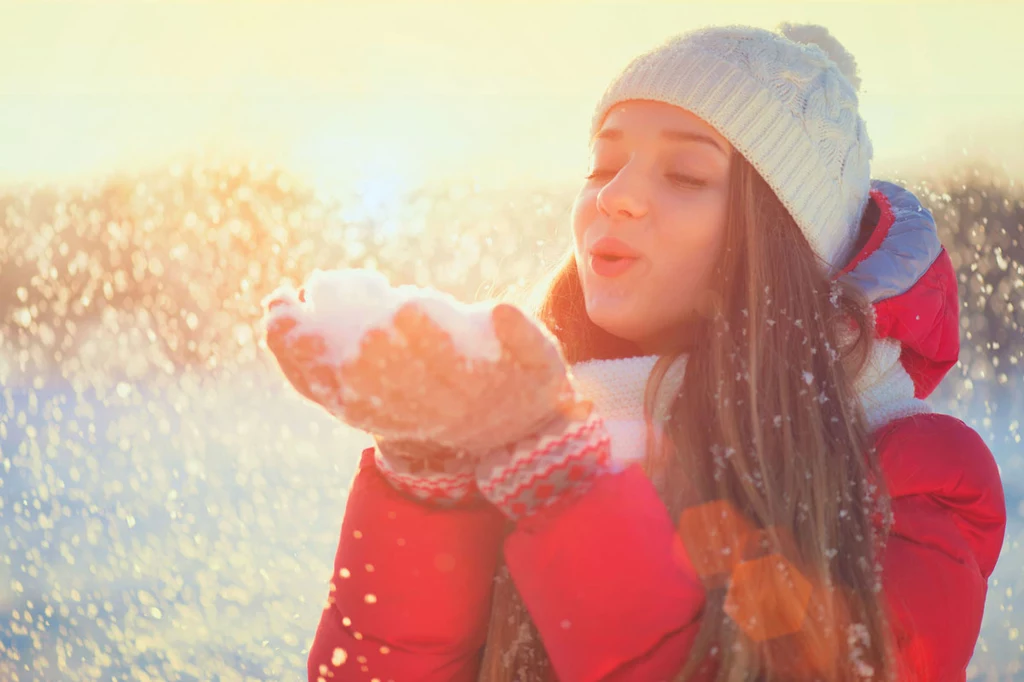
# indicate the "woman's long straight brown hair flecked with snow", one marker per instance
pixel 766 423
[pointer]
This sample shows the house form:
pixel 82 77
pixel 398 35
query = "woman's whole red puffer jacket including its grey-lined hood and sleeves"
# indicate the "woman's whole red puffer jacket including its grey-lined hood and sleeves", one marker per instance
pixel 602 575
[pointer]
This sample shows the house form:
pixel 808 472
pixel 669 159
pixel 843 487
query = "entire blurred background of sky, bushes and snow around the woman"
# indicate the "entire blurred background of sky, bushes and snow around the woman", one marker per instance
pixel 169 507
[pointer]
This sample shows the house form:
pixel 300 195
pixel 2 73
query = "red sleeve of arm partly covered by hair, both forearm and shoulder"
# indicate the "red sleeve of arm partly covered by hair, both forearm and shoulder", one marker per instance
pixel 615 595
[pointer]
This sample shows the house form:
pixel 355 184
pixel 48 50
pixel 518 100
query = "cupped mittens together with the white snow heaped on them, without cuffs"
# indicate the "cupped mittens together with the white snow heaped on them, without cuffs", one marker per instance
pixel 415 366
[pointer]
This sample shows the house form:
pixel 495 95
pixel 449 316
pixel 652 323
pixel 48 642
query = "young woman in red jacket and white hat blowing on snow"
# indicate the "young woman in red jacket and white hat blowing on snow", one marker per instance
pixel 715 462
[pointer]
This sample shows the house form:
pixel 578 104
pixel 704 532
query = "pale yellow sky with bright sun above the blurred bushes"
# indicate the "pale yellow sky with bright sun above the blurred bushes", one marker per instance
pixel 382 96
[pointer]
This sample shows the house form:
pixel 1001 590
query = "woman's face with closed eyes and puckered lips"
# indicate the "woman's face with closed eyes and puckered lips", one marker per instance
pixel 659 186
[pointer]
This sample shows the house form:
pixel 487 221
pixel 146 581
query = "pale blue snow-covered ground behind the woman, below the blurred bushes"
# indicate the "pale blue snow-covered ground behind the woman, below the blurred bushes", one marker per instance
pixel 185 532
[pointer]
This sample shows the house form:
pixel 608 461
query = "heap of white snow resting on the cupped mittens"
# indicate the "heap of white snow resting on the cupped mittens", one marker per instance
pixel 344 306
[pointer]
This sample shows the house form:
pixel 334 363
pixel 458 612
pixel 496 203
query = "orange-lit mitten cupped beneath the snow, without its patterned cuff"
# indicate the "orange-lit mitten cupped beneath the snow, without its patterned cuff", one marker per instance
pixel 411 382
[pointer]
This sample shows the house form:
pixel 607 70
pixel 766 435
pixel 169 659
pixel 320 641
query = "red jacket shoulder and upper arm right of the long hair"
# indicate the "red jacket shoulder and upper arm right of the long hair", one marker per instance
pixel 949 526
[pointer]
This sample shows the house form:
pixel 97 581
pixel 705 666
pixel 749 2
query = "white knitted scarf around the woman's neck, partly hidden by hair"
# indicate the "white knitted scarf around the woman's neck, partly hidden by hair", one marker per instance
pixel 617 389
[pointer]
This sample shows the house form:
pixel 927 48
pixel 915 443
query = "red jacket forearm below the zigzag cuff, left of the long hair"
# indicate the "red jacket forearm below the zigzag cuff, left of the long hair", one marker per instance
pixel 608 582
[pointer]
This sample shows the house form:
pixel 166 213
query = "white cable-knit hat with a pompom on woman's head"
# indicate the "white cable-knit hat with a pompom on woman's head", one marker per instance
pixel 788 102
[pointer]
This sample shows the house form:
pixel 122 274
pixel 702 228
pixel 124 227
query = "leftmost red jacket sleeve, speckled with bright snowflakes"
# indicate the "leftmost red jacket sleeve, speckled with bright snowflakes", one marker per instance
pixel 410 593
